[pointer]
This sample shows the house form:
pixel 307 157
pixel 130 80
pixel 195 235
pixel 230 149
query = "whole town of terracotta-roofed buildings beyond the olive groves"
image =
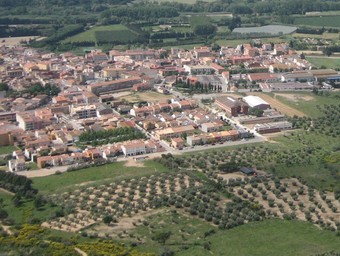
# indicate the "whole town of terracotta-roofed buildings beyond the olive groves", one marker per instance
pixel 68 110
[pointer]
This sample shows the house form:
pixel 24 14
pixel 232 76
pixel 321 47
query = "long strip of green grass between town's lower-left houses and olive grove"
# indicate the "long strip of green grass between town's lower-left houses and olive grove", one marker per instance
pixel 101 174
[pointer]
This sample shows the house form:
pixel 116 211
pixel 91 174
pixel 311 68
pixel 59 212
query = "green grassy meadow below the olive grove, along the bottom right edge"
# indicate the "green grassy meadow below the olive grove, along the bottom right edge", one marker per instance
pixel 268 237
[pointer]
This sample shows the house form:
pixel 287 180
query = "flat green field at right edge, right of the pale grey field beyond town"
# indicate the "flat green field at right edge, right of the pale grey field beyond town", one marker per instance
pixel 327 21
